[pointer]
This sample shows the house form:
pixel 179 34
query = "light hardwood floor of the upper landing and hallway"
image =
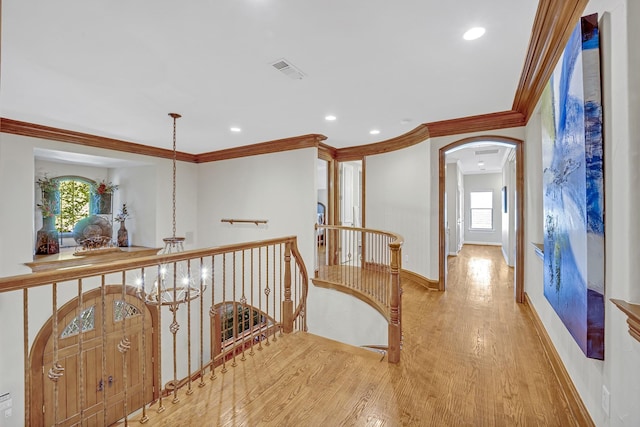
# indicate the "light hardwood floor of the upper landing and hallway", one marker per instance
pixel 470 357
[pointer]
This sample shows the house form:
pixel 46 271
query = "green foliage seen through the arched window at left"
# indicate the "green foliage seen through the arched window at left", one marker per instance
pixel 74 203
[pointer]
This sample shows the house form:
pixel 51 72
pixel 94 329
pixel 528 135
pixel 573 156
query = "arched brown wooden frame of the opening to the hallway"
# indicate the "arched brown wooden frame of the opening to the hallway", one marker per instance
pixel 519 196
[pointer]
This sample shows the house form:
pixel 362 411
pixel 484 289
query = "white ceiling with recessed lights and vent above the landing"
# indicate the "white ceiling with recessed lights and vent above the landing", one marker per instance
pixel 116 68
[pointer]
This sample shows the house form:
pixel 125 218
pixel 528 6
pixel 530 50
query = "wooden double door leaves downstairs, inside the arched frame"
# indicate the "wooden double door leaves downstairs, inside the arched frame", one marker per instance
pixel 95 386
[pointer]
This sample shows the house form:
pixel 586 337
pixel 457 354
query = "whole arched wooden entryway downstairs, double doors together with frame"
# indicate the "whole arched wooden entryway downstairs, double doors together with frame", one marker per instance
pixel 101 382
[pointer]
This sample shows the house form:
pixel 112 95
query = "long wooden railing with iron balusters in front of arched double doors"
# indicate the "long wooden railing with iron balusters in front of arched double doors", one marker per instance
pixel 108 349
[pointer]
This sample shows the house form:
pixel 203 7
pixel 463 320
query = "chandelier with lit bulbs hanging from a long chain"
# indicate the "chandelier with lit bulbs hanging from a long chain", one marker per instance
pixel 174 283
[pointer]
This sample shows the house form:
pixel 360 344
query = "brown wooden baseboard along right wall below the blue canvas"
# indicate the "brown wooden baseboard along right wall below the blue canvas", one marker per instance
pixel 576 406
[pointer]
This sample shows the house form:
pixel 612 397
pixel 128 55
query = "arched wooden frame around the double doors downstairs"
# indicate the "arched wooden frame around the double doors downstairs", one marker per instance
pixel 36 356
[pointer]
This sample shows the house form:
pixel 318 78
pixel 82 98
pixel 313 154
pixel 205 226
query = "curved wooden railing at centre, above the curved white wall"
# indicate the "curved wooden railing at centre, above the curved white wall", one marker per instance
pixel 366 264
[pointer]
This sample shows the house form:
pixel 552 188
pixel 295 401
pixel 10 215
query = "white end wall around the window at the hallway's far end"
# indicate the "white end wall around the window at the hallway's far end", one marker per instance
pixel 484 182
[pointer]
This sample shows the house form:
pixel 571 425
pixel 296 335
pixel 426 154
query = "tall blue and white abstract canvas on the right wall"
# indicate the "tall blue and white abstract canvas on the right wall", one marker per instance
pixel 573 181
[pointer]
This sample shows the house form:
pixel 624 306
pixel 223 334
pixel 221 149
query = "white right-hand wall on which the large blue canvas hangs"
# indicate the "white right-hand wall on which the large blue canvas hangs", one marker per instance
pixel 620 55
